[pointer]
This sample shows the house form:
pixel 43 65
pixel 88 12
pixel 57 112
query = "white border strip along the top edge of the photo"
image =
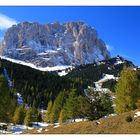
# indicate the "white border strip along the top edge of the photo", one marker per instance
pixel 70 2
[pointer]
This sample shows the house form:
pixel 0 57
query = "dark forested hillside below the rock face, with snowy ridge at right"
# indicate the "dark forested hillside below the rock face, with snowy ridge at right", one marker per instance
pixel 38 87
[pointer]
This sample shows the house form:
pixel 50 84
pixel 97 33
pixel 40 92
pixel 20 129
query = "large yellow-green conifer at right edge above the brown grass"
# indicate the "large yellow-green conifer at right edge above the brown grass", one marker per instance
pixel 127 91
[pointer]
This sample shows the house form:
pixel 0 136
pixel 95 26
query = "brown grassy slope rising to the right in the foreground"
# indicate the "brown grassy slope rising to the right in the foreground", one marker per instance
pixel 112 125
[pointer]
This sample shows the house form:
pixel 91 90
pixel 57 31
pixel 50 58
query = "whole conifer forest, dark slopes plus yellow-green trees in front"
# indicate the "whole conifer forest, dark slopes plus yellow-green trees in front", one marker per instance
pixel 65 98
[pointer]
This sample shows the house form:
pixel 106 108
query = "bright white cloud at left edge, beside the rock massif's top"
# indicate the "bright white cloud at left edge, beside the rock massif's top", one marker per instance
pixel 6 22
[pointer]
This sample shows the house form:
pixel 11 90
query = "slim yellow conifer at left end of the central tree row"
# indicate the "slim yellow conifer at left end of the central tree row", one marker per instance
pixel 49 109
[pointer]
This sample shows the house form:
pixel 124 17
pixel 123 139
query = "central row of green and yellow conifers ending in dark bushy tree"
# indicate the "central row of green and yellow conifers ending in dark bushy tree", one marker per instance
pixel 69 106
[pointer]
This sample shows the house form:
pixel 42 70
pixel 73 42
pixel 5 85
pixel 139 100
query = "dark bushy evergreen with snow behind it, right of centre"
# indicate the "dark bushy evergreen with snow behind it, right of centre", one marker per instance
pixel 99 105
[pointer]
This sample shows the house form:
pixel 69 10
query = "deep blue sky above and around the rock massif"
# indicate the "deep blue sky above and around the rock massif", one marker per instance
pixel 119 27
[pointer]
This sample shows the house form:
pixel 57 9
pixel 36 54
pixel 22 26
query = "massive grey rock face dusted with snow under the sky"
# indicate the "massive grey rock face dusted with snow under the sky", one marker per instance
pixel 52 44
